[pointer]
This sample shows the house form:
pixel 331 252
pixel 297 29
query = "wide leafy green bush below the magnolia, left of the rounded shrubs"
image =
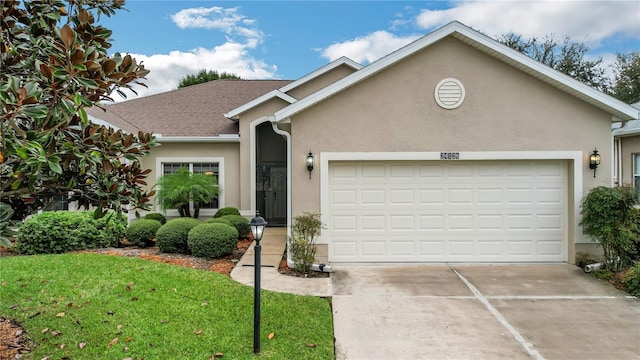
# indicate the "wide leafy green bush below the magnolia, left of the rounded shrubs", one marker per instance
pixel 55 232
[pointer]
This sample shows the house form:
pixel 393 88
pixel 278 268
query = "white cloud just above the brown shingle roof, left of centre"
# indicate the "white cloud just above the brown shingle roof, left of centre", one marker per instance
pixel 168 69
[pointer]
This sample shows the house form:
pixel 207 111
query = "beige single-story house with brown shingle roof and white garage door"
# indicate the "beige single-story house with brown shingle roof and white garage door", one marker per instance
pixel 454 148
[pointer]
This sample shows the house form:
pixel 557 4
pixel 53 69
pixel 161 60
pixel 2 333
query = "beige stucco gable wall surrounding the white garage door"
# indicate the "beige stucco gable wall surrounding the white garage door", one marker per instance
pixel 394 111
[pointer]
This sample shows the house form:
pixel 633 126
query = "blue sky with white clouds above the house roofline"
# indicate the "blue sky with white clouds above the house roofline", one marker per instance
pixel 288 39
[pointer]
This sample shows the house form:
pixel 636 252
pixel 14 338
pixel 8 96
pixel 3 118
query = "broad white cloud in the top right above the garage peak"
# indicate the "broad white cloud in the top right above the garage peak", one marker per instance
pixel 590 22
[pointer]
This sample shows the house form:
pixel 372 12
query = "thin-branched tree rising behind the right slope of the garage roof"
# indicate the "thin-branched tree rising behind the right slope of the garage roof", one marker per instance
pixel 568 57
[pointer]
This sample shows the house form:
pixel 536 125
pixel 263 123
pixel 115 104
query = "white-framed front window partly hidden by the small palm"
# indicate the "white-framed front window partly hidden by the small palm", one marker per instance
pixel 208 166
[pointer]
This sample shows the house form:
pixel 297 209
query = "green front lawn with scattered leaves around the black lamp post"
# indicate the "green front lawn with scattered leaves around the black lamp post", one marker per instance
pixel 154 310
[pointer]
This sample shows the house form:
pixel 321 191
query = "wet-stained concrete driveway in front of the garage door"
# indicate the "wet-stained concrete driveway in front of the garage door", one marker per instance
pixel 481 312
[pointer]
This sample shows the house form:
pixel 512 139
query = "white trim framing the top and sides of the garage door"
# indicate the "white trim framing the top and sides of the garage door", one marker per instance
pixel 575 182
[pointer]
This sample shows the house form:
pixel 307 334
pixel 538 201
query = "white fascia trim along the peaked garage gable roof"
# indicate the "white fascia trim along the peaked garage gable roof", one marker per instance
pixel 483 43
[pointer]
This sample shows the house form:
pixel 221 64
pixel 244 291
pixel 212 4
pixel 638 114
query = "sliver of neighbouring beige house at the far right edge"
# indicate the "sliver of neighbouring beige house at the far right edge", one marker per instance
pixel 626 147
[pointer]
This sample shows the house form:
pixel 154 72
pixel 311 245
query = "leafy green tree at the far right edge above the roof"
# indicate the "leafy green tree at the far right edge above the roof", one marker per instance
pixel 627 77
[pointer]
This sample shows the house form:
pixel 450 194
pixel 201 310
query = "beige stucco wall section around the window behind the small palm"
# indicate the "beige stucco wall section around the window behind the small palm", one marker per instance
pixel 190 152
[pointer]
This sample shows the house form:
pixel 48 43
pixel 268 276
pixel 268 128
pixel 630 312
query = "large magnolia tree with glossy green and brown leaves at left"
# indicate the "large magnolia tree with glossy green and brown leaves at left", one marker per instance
pixel 54 64
